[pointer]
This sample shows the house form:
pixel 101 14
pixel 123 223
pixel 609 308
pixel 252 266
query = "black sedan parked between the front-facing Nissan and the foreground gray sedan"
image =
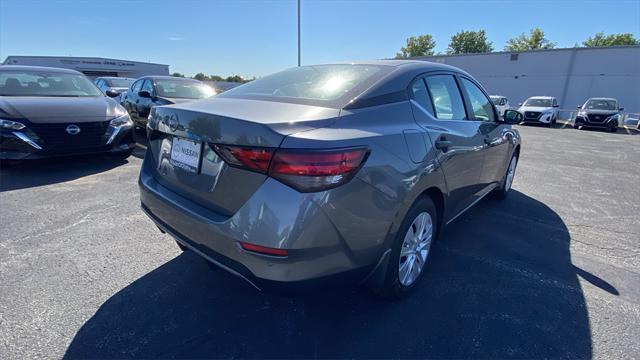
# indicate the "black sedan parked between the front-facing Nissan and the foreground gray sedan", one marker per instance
pixel 150 91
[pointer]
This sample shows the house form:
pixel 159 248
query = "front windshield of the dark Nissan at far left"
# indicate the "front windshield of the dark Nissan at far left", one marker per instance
pixel 43 83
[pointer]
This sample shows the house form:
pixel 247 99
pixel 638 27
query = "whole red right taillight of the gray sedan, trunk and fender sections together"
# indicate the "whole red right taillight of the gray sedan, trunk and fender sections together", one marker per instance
pixel 303 170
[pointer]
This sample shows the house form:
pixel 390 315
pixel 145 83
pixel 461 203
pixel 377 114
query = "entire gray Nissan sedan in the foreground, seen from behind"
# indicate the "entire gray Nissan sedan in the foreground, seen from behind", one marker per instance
pixel 329 172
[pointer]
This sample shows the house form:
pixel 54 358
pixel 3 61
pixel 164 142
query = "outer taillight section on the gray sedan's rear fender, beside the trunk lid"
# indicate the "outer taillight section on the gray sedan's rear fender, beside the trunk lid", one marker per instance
pixel 316 170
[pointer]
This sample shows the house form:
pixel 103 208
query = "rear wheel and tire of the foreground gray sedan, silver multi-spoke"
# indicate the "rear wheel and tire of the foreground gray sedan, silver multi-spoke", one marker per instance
pixel 415 236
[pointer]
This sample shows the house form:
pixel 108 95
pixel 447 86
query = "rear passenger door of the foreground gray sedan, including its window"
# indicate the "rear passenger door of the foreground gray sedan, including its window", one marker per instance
pixel 456 140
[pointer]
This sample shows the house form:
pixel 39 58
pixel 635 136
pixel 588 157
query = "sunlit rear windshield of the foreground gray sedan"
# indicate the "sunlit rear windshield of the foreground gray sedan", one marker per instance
pixel 322 85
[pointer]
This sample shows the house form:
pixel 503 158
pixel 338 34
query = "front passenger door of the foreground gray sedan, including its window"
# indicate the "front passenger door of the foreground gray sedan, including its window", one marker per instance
pixel 494 134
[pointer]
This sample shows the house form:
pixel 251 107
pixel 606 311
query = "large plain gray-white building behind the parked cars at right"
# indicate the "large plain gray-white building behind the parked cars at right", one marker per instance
pixel 571 75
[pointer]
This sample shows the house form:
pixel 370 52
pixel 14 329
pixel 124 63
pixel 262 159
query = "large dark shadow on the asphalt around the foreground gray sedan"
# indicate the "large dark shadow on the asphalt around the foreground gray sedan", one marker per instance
pixel 499 284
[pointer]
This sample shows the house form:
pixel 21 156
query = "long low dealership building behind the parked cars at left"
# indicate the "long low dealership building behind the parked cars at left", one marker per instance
pixel 93 67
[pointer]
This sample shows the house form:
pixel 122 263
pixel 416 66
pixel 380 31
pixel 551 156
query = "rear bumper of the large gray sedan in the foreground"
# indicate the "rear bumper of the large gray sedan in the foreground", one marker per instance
pixel 276 216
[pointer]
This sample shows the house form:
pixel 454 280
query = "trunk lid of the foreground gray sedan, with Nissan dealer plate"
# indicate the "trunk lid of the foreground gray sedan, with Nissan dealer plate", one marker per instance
pixel 182 138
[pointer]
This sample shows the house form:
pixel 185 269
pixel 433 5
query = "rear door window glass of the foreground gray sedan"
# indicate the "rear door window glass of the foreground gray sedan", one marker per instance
pixel 445 97
